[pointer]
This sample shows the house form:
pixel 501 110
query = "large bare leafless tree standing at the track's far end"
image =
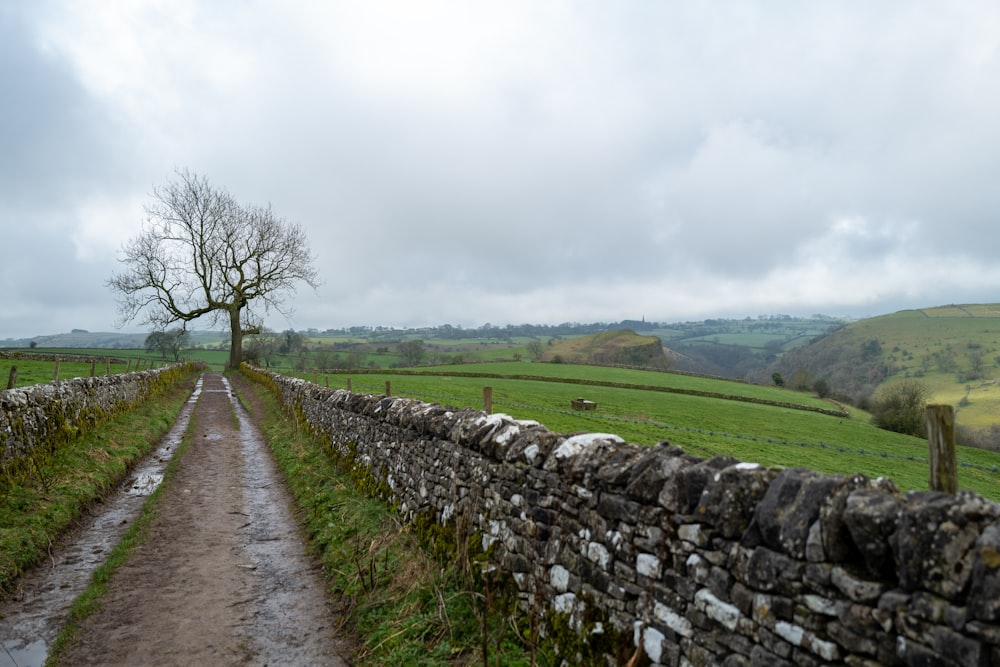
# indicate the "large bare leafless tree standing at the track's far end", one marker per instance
pixel 202 254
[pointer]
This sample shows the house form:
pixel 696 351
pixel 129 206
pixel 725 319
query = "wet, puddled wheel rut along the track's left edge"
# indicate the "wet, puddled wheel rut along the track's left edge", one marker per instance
pixel 43 596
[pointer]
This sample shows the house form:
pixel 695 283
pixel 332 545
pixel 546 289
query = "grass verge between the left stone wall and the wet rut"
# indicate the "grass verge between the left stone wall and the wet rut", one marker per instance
pixel 36 510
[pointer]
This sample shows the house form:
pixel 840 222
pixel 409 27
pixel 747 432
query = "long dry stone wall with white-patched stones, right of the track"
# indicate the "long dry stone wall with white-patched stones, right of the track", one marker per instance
pixel 701 562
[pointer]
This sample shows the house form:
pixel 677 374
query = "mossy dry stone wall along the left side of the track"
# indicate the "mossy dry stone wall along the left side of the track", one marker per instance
pixel 42 415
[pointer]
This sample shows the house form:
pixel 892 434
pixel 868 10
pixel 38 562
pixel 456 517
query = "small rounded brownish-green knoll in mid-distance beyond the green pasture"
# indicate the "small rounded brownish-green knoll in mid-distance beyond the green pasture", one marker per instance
pixel 619 347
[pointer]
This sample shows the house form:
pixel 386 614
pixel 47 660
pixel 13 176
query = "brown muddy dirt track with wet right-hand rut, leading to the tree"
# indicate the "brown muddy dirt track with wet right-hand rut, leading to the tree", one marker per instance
pixel 223 578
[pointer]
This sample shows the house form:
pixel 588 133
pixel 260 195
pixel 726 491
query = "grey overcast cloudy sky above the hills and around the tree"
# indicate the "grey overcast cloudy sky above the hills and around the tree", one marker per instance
pixel 515 162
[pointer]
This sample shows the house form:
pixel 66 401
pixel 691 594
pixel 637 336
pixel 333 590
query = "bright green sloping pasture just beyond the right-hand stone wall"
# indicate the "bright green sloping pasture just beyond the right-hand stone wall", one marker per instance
pixel 771 436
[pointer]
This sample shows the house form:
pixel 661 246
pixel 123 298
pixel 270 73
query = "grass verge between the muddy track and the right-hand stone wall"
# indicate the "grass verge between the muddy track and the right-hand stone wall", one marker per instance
pixel 409 597
